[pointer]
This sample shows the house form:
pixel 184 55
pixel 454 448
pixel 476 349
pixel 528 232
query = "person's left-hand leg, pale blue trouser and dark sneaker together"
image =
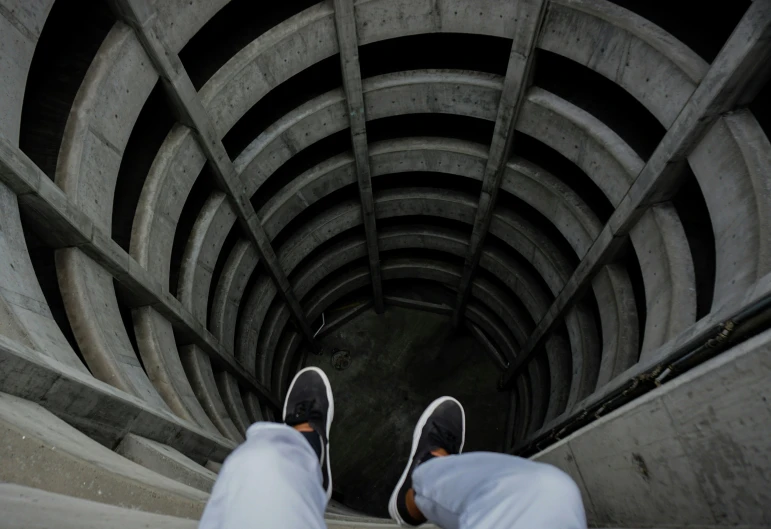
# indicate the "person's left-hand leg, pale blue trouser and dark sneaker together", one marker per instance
pixel 275 479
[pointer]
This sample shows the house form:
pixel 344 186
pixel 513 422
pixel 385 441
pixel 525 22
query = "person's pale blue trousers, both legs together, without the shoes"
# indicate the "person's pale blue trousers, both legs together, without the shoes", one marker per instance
pixel 273 481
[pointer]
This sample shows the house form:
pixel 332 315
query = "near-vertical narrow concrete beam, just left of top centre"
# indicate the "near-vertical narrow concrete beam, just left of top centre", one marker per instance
pixel 345 22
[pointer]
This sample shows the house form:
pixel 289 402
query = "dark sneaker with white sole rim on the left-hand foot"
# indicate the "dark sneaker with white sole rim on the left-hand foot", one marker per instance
pixel 309 399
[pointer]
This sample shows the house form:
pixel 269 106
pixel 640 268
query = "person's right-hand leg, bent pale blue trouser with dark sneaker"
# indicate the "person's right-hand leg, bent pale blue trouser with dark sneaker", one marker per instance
pixel 480 490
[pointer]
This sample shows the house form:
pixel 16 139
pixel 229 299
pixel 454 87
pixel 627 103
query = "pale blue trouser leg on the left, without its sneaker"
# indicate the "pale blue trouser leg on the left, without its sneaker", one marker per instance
pixel 271 481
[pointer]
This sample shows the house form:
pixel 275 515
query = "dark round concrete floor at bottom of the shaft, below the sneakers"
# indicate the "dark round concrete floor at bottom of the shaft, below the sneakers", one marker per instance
pixel 401 361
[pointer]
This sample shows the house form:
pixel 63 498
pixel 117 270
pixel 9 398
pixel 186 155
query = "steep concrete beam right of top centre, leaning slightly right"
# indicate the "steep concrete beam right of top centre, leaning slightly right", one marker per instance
pixel 528 17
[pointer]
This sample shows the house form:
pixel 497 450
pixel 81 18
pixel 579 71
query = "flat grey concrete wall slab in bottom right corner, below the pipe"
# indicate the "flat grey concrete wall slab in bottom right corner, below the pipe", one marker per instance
pixel 691 451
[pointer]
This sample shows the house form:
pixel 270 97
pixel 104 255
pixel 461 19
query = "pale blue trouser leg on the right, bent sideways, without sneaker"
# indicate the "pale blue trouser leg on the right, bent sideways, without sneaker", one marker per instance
pixel 483 490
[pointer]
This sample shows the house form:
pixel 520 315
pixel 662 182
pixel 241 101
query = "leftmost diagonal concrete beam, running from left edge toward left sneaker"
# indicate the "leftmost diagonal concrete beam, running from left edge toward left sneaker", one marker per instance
pixel 61 224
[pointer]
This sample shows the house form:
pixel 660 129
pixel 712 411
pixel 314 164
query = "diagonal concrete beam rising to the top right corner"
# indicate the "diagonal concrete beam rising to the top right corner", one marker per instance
pixel 733 79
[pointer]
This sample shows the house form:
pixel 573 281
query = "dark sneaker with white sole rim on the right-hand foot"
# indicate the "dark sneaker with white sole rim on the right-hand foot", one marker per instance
pixel 442 425
